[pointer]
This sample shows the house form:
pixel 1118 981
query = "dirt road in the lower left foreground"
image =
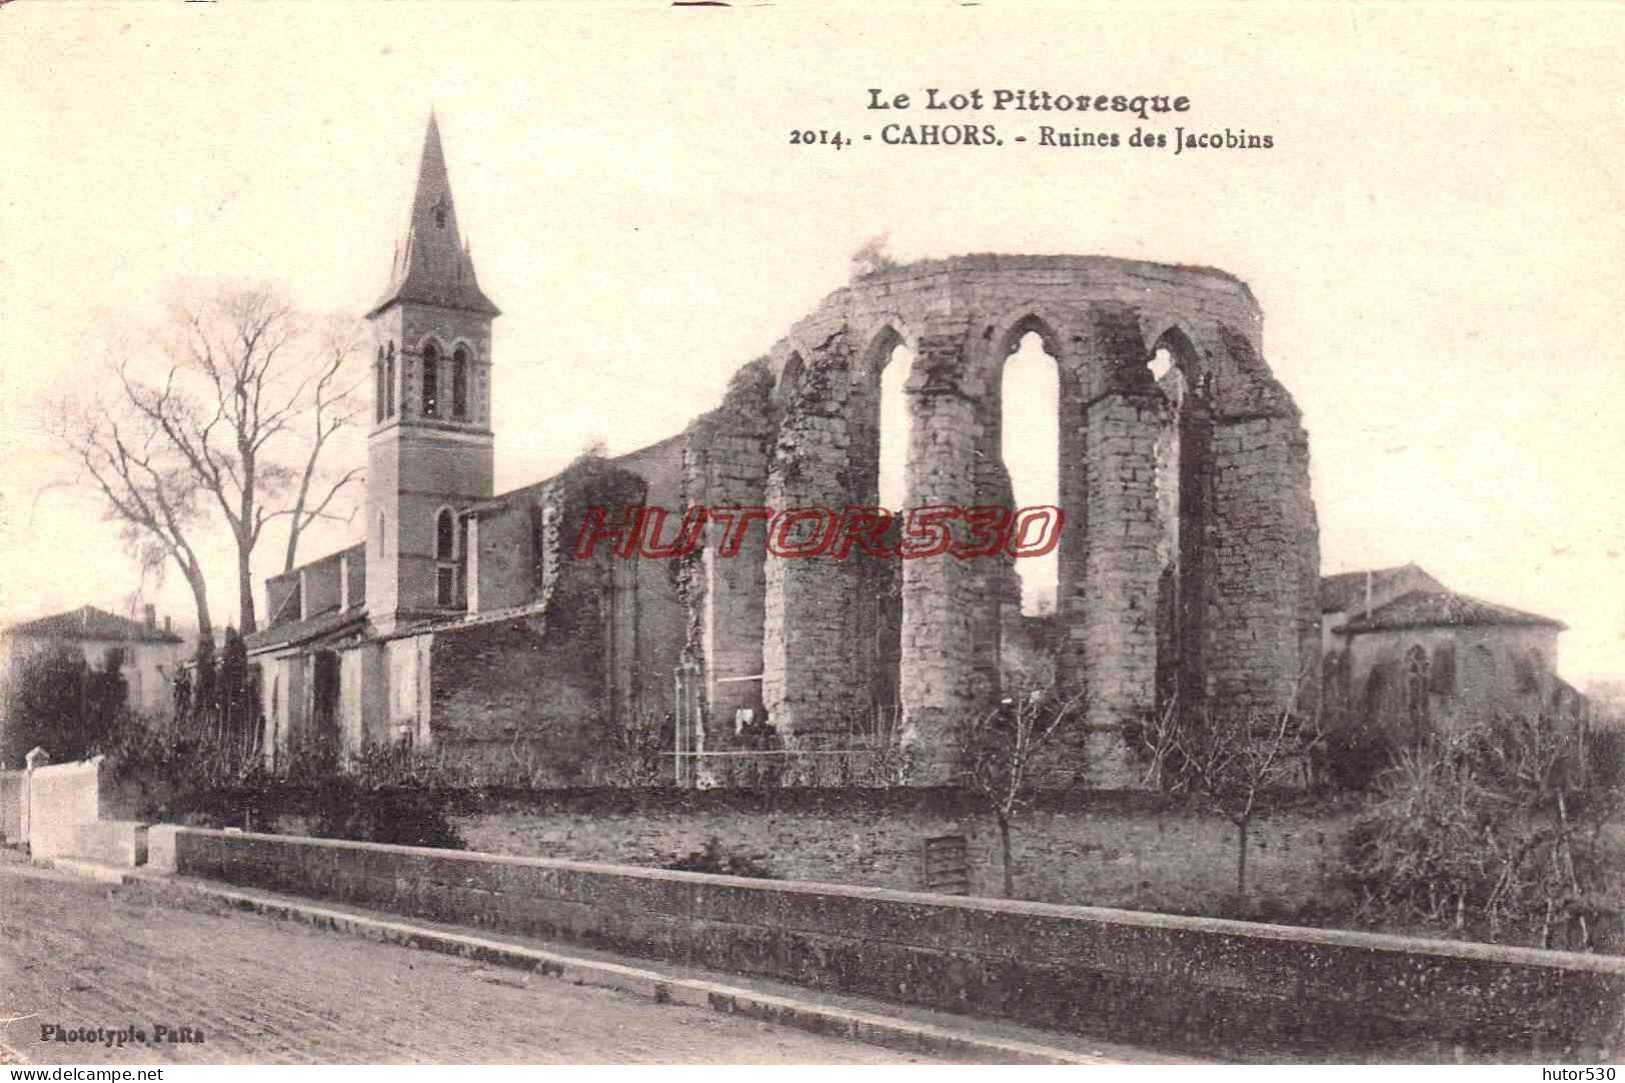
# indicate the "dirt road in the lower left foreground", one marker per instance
pixel 259 991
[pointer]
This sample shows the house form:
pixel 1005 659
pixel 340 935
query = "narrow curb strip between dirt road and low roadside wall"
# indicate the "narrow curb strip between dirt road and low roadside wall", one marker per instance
pixel 877 1030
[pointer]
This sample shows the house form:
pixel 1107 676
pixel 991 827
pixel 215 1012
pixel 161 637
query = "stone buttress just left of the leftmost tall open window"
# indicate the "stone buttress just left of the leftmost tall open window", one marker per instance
pixel 810 681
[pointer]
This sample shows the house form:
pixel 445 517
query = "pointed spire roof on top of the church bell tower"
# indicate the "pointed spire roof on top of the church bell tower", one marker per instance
pixel 433 266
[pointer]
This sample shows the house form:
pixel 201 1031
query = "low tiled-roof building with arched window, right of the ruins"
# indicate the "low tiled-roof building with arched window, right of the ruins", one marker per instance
pixel 1418 656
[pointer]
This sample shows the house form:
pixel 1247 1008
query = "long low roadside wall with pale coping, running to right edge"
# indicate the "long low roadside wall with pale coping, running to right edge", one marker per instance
pixel 1213 986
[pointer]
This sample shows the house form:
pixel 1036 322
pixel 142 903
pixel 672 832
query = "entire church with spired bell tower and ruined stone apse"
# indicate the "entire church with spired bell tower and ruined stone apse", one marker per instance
pixel 1189 560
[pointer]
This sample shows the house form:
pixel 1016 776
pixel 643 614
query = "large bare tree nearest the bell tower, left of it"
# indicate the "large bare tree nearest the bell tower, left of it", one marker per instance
pixel 246 376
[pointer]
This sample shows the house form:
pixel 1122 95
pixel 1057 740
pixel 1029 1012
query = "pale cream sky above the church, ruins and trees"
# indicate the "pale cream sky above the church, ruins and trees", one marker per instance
pixel 1436 238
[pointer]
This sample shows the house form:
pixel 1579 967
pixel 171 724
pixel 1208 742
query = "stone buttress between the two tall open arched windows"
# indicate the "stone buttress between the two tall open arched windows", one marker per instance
pixel 940 602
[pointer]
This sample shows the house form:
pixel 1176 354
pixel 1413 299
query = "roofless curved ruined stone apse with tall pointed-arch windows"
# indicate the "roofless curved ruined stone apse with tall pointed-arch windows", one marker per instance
pixel 1239 617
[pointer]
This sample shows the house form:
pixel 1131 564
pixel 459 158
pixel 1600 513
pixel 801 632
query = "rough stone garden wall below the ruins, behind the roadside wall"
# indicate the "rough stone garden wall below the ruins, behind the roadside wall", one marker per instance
pixel 1120 850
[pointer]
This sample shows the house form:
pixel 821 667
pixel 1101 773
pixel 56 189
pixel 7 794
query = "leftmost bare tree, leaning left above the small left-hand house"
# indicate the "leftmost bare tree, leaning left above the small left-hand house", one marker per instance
pixel 147 489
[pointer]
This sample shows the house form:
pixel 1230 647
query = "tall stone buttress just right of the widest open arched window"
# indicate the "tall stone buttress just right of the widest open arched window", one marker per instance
pixel 1122 572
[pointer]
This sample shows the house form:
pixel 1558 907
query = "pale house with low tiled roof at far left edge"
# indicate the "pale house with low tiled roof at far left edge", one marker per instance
pixel 150 655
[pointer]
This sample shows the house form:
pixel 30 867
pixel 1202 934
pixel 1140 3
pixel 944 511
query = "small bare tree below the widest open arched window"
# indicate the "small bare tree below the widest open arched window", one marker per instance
pixel 1005 752
